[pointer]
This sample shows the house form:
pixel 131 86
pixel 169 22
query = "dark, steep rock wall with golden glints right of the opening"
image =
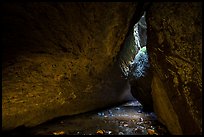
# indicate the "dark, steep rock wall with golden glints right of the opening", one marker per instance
pixel 175 49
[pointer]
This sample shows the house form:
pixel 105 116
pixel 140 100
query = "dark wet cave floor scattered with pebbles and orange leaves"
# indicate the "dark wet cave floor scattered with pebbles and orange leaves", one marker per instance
pixel 125 119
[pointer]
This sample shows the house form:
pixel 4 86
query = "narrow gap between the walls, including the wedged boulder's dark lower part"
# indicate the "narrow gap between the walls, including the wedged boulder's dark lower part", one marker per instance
pixel 135 65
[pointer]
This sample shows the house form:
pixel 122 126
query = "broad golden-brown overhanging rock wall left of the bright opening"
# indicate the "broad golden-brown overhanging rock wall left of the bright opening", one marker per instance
pixel 59 59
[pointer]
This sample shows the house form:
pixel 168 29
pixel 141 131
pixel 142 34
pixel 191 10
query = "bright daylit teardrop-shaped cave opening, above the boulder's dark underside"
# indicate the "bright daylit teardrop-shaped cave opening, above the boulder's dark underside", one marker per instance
pixel 134 57
